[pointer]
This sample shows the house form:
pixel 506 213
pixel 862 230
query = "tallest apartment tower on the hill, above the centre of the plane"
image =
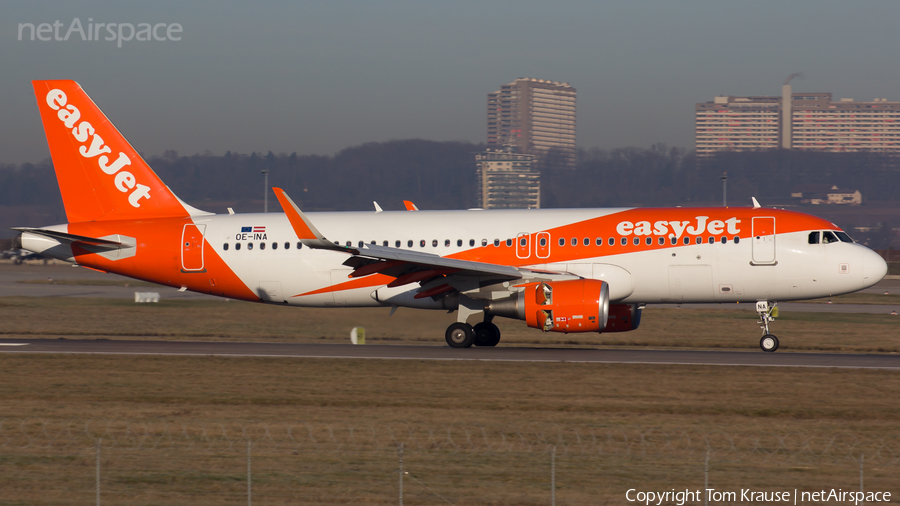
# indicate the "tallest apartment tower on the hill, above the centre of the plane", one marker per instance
pixel 534 116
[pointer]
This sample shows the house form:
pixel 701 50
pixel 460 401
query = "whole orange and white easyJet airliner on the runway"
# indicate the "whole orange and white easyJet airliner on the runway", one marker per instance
pixel 560 270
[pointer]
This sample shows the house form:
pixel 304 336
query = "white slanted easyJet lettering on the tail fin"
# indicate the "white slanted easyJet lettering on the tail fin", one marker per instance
pixel 93 146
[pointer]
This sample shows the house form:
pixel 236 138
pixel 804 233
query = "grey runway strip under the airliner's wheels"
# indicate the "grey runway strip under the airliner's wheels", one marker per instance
pixel 499 354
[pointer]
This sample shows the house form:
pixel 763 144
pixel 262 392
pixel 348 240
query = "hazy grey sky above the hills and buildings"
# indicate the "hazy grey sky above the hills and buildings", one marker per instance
pixel 314 78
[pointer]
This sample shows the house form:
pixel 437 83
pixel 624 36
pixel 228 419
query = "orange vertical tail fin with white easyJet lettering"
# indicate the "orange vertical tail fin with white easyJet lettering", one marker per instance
pixel 101 177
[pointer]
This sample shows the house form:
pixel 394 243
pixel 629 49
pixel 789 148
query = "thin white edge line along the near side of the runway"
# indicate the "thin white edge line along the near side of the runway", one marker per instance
pixel 479 359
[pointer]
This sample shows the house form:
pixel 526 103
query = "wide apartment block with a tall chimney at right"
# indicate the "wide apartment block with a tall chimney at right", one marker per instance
pixel 797 121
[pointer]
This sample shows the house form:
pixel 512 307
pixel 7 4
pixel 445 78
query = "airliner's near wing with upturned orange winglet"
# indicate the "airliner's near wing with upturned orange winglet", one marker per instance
pixel 433 272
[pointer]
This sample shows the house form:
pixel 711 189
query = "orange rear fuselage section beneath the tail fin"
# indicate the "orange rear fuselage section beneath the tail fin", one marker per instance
pixel 158 257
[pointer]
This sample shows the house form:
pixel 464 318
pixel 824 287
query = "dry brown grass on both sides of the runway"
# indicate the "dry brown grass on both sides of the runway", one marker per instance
pixel 119 397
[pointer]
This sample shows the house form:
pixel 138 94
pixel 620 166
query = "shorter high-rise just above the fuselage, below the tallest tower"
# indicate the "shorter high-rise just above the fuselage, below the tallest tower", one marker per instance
pixel 507 180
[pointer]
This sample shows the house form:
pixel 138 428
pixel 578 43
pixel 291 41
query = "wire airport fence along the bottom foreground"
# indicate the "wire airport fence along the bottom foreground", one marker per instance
pixel 235 462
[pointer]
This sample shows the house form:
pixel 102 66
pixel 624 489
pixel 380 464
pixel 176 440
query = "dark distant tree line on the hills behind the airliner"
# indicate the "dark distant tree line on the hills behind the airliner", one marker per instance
pixel 441 175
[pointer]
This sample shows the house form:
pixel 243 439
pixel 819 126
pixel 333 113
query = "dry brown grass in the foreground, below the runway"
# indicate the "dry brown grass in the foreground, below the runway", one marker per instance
pixel 547 399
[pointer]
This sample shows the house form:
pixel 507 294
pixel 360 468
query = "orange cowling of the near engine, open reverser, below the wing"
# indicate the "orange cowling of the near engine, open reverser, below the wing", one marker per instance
pixel 578 305
